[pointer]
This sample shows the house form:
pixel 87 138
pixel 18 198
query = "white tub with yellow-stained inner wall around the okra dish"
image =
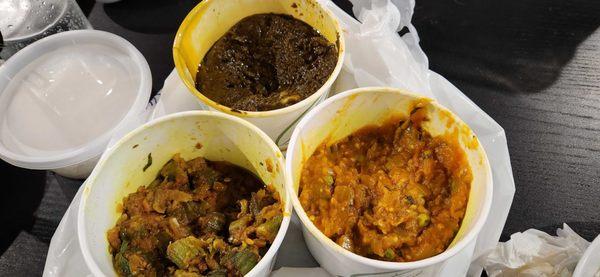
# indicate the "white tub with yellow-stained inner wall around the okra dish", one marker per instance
pixel 120 172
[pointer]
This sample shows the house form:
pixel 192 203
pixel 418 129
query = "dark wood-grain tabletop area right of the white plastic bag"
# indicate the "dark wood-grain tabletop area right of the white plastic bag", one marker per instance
pixel 533 66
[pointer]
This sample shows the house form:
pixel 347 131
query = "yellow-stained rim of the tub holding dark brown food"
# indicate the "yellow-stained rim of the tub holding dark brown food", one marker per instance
pixel 256 114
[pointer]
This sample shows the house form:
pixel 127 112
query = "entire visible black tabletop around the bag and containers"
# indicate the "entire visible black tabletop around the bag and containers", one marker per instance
pixel 532 65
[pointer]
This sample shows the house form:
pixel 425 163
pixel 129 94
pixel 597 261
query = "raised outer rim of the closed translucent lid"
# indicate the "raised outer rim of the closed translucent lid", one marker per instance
pixel 95 147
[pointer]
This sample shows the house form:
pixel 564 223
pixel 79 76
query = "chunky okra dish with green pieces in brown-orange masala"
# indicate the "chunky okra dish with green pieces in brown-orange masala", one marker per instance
pixel 197 218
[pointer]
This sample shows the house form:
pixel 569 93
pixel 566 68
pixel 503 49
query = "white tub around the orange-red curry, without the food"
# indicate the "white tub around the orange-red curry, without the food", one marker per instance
pixel 349 111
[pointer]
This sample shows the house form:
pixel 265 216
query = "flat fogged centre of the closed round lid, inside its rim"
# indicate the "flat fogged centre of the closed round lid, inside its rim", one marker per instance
pixel 66 98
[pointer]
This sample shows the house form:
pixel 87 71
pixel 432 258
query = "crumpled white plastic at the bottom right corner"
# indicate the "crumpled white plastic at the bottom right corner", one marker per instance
pixel 535 253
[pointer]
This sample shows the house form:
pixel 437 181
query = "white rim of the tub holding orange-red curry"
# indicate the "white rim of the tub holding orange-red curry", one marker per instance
pixel 328 243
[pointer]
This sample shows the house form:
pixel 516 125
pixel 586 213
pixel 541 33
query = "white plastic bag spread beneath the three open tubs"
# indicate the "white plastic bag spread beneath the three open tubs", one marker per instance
pixel 376 56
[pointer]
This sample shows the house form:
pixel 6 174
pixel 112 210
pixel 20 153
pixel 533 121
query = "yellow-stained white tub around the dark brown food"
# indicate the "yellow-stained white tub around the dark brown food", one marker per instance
pixel 211 19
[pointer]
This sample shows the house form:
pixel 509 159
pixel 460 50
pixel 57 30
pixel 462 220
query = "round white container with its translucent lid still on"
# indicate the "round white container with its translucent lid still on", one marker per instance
pixel 84 87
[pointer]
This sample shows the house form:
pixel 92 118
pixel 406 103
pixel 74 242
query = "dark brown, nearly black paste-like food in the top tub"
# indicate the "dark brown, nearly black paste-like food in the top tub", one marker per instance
pixel 266 62
